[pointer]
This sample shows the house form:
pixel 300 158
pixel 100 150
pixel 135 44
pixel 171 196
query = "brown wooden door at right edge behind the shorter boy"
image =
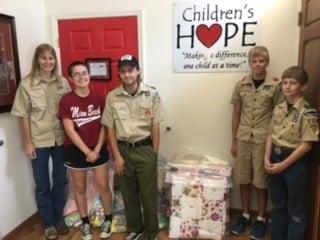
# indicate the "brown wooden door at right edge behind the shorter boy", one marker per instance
pixel 309 58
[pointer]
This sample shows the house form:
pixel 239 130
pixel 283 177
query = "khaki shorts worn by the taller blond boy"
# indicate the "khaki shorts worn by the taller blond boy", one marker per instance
pixel 249 164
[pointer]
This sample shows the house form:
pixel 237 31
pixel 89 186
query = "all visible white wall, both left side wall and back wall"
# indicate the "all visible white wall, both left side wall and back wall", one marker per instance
pixel 197 104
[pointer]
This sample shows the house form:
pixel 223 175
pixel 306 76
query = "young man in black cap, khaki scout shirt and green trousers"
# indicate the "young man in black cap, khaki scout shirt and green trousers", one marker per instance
pixel 132 116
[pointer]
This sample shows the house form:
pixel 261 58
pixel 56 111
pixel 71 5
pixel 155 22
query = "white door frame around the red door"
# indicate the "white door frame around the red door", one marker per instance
pixel 139 13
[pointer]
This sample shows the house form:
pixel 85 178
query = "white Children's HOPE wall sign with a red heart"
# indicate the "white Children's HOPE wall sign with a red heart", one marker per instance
pixel 214 36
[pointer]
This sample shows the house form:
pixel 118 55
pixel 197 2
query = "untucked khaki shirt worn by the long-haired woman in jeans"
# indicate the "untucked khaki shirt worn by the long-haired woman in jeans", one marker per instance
pixel 39 102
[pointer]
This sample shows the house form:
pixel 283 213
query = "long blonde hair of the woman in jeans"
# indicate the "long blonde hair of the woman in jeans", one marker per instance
pixel 35 68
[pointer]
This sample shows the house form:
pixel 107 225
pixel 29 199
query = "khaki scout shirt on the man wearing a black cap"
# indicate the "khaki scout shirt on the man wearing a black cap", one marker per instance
pixel 132 116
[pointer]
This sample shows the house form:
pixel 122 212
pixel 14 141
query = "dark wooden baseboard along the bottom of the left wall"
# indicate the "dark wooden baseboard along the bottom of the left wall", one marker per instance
pixel 22 227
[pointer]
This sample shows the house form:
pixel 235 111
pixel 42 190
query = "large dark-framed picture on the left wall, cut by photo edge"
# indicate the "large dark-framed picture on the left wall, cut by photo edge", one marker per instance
pixel 9 62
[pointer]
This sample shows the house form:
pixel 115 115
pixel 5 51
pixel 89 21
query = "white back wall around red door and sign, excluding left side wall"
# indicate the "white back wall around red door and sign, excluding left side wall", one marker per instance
pixel 197 104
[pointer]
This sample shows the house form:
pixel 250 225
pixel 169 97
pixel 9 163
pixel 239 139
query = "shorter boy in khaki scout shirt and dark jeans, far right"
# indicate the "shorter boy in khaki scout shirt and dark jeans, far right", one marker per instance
pixel 294 127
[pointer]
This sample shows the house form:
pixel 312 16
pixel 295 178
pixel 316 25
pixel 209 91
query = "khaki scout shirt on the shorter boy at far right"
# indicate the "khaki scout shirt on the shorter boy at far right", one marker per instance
pixel 299 124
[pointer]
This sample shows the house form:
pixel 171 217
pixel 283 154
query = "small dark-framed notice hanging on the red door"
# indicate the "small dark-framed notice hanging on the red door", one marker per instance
pixel 99 68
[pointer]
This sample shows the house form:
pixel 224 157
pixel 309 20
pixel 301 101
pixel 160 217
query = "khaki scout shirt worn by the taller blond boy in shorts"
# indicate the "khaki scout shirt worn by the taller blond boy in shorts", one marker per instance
pixel 256 107
